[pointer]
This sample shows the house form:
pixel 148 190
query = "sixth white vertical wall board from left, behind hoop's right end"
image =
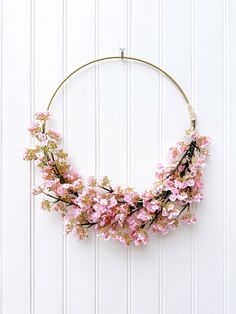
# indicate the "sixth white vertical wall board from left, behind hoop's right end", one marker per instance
pixel 177 246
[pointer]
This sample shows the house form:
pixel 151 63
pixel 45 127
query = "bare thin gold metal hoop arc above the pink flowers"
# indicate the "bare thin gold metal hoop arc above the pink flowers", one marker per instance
pixel 189 106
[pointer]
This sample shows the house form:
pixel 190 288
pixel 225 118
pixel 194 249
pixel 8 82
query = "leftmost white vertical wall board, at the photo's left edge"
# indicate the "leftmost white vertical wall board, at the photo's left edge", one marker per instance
pixel 15 173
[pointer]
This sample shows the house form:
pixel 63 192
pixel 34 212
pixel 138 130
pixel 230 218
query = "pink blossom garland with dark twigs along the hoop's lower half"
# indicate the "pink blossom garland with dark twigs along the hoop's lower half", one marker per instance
pixel 117 213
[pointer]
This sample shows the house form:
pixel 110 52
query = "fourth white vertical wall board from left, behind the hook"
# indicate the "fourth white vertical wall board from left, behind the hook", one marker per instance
pixel 112 152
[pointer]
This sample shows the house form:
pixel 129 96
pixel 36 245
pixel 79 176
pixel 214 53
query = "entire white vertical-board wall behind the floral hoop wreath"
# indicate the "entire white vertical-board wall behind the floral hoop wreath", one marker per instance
pixel 118 120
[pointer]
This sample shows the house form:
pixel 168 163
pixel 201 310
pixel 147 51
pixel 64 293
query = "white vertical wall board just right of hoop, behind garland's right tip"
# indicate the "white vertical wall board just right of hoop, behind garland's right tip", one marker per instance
pixel 211 111
